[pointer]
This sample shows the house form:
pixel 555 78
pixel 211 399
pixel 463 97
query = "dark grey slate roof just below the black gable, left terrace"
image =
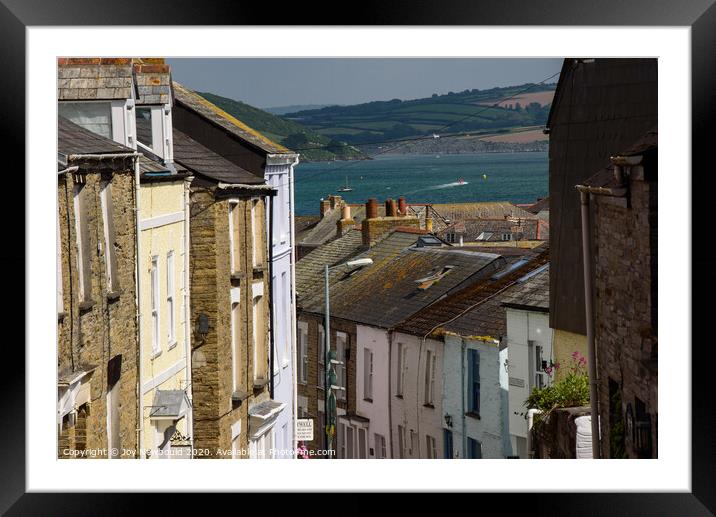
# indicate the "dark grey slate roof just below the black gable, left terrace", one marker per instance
pixel 199 159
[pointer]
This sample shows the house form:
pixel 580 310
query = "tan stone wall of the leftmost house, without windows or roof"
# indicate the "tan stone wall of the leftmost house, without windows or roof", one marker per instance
pixel 104 329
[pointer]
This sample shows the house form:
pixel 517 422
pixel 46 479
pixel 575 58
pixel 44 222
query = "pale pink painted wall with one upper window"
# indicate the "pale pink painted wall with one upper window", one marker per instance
pixel 375 340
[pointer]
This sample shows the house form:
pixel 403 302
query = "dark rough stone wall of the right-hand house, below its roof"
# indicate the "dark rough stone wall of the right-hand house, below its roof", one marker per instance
pixel 625 334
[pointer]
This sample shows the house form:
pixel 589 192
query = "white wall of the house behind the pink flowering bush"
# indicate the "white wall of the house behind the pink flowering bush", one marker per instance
pixel 525 329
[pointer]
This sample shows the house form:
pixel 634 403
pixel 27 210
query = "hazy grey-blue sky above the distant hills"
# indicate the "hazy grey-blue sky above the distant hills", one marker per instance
pixel 274 82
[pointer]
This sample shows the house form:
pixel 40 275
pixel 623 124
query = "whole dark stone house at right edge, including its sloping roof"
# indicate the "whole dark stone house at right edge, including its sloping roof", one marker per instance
pixel 624 240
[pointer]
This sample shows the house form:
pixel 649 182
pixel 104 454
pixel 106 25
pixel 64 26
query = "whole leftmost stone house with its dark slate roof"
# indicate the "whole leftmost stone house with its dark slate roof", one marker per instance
pixel 97 332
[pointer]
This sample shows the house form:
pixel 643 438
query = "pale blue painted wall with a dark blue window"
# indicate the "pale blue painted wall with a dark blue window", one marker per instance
pixel 490 429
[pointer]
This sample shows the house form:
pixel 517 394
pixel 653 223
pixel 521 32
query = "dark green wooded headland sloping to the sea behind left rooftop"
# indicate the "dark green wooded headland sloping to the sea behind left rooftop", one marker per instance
pixel 311 145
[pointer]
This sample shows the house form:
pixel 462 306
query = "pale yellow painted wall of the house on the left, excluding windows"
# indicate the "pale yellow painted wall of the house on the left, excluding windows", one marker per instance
pixel 157 199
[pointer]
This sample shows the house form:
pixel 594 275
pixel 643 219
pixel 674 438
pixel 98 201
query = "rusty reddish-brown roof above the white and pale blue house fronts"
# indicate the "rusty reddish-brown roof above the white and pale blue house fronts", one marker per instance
pixel 479 303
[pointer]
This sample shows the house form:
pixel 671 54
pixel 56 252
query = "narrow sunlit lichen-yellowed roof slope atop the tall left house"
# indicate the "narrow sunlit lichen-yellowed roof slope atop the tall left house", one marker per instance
pixel 219 117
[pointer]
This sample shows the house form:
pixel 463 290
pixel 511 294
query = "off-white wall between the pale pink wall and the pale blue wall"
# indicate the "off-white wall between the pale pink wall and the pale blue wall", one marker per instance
pixel 410 411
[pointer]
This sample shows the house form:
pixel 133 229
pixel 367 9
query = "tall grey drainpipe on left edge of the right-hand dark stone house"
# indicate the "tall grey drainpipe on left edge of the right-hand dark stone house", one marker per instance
pixel 588 297
